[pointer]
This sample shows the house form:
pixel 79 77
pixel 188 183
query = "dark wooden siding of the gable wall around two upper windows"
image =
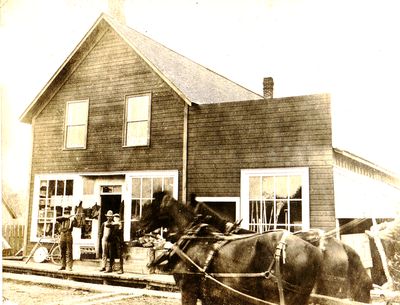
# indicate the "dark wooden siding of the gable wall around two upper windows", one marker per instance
pixel 105 76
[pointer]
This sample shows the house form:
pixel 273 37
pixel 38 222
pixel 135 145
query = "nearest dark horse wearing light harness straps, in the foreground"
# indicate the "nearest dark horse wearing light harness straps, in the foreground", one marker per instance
pixel 233 270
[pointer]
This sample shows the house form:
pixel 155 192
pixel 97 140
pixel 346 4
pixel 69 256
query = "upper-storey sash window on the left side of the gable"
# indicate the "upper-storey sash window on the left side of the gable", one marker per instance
pixel 76 124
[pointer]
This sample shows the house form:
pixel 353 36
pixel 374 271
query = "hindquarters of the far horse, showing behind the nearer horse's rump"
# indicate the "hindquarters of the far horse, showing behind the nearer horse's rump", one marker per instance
pixel 342 273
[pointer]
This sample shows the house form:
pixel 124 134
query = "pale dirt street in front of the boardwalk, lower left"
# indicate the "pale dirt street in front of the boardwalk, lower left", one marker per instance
pixel 18 293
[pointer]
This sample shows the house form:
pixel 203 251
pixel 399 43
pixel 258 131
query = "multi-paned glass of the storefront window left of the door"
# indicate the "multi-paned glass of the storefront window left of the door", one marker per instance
pixel 55 198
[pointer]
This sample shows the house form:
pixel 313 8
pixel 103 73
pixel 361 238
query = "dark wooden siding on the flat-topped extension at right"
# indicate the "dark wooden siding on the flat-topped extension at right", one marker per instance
pixel 275 133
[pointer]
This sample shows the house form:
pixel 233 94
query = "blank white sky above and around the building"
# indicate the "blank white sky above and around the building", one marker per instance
pixel 347 48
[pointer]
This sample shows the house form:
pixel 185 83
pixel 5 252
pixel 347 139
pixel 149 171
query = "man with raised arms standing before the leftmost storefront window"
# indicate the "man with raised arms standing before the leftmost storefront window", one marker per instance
pixel 67 222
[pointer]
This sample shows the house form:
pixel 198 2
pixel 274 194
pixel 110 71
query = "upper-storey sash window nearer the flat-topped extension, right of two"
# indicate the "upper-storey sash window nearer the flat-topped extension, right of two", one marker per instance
pixel 137 120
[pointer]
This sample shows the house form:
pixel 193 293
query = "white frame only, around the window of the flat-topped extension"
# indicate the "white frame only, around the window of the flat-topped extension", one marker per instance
pixel 275 172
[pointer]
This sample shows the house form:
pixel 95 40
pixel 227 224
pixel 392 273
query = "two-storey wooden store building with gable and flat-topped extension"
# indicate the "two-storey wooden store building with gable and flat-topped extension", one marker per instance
pixel 125 116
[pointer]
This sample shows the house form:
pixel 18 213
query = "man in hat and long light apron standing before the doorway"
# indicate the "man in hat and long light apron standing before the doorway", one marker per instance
pixel 106 237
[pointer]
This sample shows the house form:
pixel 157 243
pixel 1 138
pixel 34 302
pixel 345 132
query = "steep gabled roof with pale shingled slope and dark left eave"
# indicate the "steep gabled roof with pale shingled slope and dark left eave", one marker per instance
pixel 191 81
